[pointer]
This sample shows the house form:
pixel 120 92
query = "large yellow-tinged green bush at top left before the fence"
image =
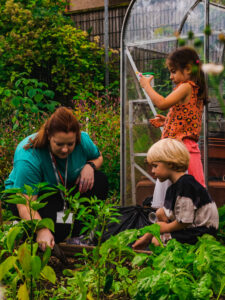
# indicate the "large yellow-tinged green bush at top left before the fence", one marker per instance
pixel 35 37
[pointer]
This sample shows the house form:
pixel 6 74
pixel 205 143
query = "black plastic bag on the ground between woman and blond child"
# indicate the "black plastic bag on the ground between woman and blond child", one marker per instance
pixel 132 217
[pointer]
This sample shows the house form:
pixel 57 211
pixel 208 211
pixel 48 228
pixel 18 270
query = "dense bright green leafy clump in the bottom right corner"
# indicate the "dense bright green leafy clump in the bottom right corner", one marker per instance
pixel 182 271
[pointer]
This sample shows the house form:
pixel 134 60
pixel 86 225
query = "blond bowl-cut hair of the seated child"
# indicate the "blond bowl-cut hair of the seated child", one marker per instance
pixel 169 151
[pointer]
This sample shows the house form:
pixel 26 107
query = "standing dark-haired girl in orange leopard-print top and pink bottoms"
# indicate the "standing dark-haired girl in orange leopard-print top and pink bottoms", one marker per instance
pixel 185 104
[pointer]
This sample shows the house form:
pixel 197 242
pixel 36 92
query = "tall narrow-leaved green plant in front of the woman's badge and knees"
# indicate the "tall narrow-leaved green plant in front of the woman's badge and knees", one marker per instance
pixel 94 215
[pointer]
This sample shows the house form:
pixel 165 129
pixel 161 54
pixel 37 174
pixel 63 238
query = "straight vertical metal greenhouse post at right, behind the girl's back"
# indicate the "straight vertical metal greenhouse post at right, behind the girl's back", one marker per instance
pixel 205 125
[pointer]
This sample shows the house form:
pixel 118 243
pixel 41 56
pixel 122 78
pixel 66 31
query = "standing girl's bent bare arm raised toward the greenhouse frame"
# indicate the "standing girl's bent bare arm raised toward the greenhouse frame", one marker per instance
pixel 181 95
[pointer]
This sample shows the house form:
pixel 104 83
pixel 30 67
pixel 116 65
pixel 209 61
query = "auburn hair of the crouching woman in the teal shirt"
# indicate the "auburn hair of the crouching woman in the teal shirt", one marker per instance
pixel 62 120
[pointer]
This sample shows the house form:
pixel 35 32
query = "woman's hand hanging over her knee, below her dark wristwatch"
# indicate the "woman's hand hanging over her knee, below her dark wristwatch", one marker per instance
pixel 86 179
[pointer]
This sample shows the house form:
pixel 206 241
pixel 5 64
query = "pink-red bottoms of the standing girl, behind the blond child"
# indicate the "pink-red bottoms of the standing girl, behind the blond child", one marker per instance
pixel 195 165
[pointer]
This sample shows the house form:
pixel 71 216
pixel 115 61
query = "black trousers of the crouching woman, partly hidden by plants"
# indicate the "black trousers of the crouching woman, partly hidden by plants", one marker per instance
pixel 55 204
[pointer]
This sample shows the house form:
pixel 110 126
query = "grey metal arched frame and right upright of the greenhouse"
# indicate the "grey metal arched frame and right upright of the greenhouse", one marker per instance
pixel 123 94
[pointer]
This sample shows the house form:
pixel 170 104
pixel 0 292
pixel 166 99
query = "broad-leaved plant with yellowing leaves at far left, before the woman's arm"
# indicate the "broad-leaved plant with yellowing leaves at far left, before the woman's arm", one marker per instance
pixel 23 267
